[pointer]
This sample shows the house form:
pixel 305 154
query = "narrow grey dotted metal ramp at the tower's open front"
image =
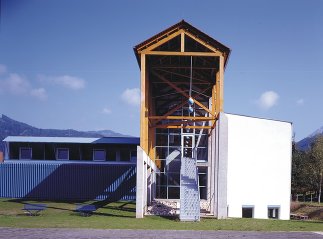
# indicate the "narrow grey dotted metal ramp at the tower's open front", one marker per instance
pixel 189 192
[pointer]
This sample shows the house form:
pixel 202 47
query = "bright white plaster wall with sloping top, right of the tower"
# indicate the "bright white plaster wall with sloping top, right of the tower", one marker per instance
pixel 259 165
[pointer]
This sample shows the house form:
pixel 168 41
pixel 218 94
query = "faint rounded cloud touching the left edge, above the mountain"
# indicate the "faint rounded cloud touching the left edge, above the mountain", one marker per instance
pixel 15 84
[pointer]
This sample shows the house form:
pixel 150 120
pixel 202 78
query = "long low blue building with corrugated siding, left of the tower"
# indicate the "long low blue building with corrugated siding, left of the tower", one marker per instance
pixel 69 168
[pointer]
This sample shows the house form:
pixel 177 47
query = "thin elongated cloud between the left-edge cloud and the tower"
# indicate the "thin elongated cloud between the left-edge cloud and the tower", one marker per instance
pixel 71 82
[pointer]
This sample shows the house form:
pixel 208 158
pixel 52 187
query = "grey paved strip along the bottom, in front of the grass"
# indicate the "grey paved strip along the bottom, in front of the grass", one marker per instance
pixel 15 233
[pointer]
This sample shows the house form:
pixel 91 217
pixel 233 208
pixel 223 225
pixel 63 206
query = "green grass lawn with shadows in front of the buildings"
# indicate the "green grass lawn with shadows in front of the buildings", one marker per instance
pixel 121 215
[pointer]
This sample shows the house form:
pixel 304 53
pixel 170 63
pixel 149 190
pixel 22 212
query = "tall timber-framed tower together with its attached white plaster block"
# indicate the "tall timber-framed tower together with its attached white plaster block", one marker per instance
pixel 190 150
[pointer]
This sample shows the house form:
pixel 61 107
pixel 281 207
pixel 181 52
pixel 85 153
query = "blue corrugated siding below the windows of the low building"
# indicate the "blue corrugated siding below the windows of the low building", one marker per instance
pixel 48 181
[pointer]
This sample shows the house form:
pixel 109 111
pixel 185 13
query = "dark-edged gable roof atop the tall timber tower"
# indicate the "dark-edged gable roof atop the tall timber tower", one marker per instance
pixel 188 28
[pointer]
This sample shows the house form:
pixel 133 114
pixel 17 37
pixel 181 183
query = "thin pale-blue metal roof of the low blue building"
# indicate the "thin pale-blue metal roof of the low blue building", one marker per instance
pixel 79 140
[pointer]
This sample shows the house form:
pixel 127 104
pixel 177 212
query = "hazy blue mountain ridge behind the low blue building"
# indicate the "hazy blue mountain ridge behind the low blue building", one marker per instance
pixel 10 127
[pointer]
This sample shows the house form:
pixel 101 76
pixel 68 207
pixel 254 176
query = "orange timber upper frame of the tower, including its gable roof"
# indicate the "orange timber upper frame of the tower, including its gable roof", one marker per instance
pixel 179 63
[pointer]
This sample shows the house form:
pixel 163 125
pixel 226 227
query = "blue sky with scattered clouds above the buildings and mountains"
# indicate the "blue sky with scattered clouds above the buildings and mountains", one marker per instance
pixel 70 63
